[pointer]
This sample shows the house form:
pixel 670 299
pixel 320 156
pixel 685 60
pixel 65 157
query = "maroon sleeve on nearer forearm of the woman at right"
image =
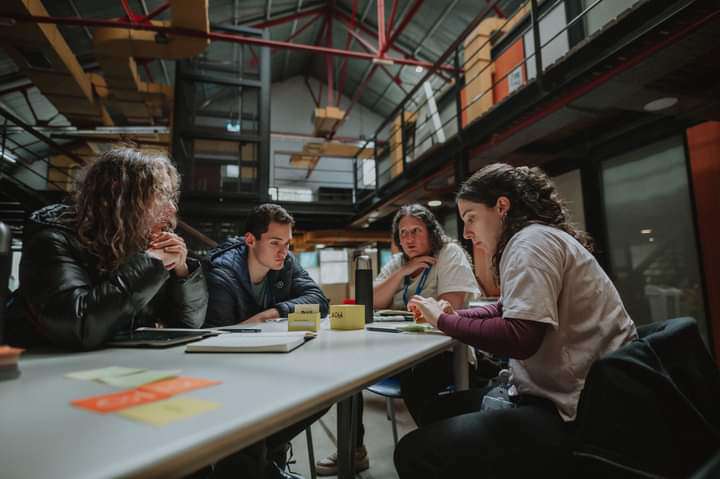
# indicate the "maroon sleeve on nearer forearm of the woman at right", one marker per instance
pixel 514 338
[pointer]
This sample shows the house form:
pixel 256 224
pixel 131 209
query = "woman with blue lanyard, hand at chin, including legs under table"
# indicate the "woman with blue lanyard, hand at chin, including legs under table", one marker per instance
pixel 431 265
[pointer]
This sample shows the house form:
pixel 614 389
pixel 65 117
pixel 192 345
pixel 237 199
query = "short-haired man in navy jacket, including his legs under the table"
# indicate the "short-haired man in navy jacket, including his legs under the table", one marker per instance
pixel 252 279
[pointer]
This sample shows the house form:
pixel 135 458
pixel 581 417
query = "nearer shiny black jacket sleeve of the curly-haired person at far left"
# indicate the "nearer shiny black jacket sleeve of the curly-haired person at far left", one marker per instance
pixel 68 307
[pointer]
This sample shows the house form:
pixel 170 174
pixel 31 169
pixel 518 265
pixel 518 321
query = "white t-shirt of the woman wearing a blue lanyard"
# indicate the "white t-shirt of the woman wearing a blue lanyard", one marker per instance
pixel 451 273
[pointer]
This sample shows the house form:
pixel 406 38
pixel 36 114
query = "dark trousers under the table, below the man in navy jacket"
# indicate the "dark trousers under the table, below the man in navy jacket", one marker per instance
pixel 255 461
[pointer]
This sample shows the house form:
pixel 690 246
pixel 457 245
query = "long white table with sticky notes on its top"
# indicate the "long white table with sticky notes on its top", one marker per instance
pixel 42 435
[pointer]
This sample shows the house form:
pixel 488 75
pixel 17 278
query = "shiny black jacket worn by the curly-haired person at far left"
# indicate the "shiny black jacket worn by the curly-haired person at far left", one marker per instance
pixel 64 300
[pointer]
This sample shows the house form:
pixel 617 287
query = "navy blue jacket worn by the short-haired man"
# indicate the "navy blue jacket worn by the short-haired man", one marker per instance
pixel 231 295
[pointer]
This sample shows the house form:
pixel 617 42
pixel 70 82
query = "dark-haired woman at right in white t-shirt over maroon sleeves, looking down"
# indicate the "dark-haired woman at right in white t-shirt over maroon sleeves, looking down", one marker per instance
pixel 558 312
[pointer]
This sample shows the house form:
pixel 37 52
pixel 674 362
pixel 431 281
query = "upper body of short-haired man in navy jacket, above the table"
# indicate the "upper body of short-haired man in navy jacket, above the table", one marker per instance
pixel 255 278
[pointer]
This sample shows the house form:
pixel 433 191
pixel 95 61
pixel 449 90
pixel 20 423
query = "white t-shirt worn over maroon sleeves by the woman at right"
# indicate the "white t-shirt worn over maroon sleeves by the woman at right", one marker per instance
pixel 548 276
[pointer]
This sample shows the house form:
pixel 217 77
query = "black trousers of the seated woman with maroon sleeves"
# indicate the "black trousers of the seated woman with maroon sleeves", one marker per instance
pixel 457 440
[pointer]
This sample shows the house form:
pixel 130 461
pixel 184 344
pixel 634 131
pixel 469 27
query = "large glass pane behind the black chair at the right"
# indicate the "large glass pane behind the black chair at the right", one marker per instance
pixel 651 235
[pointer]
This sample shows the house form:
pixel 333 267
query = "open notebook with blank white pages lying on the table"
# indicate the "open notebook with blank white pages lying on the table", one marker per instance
pixel 251 343
